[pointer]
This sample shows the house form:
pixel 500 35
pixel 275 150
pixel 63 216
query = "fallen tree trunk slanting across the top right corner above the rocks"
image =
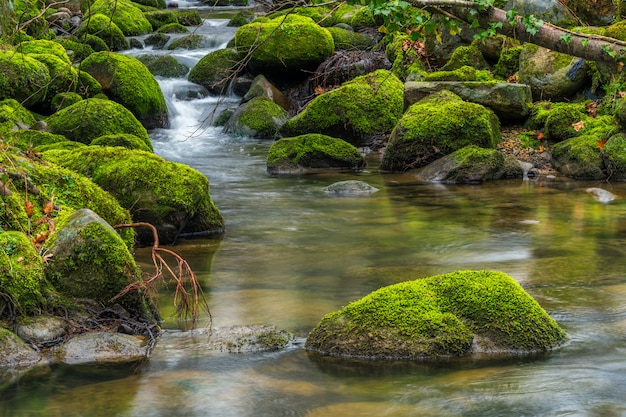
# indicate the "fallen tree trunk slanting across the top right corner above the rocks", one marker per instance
pixel 591 47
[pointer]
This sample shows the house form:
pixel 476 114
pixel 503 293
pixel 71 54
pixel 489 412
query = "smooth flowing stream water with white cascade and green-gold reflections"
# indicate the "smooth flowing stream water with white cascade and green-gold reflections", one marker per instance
pixel 292 253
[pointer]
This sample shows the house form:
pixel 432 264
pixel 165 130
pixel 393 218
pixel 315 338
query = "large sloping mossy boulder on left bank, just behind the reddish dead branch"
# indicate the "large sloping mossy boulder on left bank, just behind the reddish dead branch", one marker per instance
pixel 173 197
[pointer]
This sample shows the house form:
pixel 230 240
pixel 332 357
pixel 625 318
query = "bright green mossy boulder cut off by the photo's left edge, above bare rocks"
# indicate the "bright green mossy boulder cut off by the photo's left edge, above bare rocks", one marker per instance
pixel 24 287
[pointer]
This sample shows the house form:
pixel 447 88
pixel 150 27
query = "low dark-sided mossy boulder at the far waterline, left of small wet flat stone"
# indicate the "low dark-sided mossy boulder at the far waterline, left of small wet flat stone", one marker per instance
pixel 312 153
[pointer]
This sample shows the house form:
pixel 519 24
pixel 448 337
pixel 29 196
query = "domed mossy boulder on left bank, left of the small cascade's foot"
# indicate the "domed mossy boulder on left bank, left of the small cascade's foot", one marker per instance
pixel 94 117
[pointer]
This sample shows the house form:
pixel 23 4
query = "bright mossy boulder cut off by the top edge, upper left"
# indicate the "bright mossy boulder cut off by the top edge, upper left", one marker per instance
pixel 124 14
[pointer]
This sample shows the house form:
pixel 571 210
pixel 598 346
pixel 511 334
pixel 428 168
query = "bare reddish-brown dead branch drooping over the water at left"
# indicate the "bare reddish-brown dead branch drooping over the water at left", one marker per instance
pixel 188 296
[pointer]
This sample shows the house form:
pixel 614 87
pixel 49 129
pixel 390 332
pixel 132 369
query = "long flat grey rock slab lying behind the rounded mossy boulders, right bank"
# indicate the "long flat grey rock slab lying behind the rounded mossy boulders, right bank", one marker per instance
pixel 508 101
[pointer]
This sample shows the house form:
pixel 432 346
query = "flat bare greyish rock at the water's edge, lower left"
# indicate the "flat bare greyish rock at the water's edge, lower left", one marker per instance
pixel 102 347
